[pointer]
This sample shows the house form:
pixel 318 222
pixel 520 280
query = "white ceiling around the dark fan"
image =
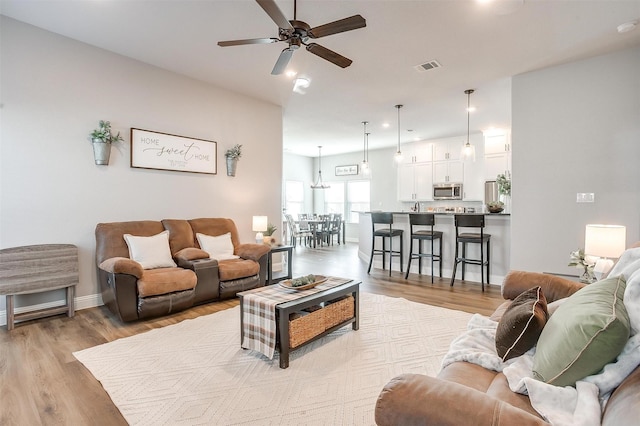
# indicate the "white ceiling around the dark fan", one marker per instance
pixel 479 45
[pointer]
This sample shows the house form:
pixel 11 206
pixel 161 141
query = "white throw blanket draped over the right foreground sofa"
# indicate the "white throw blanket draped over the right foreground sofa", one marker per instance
pixel 560 406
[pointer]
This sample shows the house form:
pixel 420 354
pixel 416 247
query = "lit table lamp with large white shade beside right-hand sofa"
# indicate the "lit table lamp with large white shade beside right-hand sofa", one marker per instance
pixel 606 242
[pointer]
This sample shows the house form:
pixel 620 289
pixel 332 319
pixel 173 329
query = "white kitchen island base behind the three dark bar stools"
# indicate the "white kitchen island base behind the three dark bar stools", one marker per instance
pixel 498 225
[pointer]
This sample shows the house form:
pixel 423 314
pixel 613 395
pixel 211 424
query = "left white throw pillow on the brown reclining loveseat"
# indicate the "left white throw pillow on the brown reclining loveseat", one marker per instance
pixel 150 252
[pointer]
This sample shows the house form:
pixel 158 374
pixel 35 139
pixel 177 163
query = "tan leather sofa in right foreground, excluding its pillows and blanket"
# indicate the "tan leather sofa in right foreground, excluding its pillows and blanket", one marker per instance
pixel 468 394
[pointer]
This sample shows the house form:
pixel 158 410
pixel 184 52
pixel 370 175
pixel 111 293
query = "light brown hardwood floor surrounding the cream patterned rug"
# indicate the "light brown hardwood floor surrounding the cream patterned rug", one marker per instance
pixel 41 382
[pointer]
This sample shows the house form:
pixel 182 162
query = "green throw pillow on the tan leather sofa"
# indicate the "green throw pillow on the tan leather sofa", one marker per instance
pixel 585 333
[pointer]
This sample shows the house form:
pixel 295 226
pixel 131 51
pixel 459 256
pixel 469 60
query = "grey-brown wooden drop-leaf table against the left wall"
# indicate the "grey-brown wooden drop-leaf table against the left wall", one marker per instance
pixel 38 268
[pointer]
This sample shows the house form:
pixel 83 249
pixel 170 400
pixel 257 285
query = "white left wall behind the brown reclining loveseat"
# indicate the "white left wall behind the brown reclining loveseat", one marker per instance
pixel 54 92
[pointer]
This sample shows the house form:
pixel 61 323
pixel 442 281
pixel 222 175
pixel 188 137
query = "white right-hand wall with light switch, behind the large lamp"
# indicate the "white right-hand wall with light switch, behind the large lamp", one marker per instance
pixel 576 128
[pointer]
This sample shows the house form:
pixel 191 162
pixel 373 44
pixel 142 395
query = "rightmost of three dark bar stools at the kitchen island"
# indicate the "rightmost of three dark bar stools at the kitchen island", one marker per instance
pixel 471 221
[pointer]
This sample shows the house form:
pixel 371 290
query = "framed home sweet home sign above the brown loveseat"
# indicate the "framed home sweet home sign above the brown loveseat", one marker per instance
pixel 153 150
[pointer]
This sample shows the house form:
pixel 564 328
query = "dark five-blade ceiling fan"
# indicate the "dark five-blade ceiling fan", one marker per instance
pixel 297 33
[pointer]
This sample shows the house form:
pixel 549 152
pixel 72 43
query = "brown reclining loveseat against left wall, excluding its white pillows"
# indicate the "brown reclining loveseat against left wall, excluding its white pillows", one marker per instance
pixel 132 292
